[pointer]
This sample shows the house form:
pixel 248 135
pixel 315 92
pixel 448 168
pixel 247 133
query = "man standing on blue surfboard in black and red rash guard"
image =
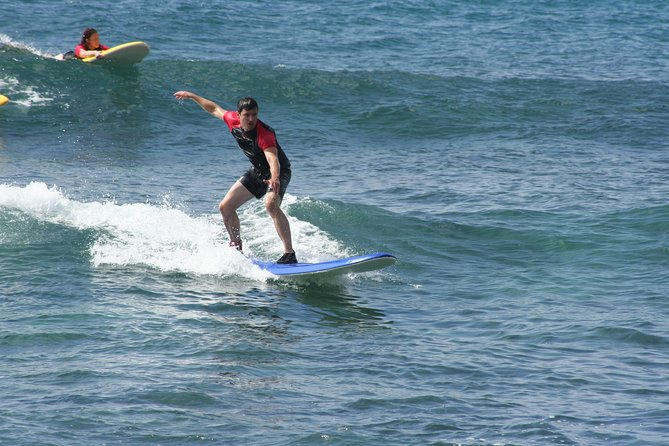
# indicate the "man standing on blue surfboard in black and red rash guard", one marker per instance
pixel 268 177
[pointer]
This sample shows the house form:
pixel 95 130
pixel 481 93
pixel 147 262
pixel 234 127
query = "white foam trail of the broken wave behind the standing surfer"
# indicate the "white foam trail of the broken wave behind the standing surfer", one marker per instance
pixel 167 238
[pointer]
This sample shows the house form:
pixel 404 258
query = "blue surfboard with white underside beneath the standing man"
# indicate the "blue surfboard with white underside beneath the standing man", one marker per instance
pixel 356 264
